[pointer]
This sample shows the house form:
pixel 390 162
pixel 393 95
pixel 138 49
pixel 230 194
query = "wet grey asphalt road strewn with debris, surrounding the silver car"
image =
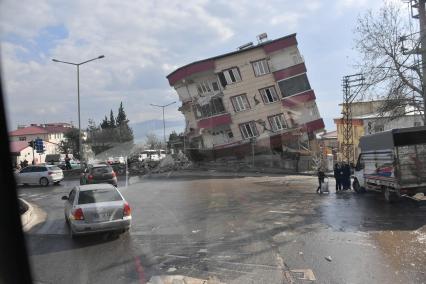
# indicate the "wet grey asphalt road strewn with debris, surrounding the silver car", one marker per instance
pixel 236 230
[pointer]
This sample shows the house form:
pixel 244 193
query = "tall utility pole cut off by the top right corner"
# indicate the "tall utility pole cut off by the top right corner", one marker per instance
pixel 421 15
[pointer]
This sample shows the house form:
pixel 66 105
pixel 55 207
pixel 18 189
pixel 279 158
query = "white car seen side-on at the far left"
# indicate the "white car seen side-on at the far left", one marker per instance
pixel 42 175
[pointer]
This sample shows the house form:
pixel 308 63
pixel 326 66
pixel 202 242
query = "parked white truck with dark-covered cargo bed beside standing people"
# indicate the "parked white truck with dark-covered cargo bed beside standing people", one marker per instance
pixel 393 162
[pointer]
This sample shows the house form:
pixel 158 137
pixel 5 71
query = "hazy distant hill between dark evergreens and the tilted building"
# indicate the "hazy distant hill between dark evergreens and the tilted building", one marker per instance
pixel 141 129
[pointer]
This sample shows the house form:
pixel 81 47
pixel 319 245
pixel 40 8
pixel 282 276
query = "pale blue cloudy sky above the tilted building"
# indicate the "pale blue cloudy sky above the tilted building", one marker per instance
pixel 143 41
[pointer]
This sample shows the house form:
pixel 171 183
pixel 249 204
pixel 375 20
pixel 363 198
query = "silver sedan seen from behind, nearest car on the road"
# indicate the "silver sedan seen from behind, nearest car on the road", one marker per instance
pixel 96 208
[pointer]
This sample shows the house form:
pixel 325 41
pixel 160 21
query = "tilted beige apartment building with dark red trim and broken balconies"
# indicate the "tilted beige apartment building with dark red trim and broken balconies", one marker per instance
pixel 258 93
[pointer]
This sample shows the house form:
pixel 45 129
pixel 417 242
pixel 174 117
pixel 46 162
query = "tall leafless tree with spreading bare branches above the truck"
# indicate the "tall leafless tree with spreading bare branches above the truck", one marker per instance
pixel 391 72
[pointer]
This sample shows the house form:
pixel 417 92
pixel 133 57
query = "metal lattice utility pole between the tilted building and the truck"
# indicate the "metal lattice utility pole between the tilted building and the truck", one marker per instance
pixel 349 82
